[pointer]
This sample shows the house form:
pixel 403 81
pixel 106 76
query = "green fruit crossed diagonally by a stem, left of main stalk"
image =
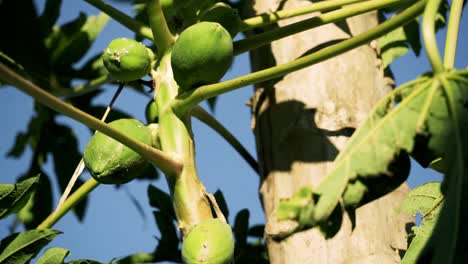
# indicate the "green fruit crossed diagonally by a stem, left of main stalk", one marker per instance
pixel 111 162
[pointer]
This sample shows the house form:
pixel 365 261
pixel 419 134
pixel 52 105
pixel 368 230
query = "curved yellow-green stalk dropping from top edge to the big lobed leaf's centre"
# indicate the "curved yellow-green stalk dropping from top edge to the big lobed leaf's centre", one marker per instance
pixel 430 42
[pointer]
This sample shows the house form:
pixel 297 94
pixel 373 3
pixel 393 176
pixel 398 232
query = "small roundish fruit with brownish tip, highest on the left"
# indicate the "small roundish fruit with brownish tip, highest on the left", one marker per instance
pixel 126 59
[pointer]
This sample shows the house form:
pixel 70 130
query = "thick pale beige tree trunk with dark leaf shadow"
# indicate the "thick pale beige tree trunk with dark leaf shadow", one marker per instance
pixel 302 121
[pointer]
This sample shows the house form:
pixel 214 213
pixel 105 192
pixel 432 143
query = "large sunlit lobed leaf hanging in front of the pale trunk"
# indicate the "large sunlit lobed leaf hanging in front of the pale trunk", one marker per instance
pixel 412 119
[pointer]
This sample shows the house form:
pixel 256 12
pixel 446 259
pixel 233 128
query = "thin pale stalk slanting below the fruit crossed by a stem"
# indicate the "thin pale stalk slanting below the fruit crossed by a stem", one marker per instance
pixel 77 196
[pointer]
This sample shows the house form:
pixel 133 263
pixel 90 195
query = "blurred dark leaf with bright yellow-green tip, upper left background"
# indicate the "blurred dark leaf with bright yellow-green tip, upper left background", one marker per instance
pixel 71 41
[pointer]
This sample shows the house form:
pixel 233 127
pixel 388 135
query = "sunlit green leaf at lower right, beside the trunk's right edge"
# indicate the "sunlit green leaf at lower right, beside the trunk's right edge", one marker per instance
pixel 426 199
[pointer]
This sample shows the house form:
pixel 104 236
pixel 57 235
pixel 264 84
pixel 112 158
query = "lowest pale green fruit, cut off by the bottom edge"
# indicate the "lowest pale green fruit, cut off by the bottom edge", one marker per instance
pixel 211 241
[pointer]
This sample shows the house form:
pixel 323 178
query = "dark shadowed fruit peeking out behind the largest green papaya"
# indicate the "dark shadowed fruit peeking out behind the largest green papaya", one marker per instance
pixel 224 15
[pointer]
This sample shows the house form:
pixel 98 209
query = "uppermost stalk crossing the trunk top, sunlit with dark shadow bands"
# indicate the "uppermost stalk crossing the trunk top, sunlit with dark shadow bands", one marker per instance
pixel 273 17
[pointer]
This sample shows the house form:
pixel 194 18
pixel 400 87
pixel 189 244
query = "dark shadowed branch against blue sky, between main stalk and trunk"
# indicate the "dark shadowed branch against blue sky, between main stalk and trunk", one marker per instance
pixel 210 121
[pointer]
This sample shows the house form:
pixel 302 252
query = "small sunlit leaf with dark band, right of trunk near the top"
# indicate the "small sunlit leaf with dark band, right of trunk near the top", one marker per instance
pixel 392 46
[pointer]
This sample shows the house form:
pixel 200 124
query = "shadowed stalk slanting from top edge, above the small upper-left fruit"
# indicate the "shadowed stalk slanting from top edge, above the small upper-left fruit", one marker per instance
pixel 122 18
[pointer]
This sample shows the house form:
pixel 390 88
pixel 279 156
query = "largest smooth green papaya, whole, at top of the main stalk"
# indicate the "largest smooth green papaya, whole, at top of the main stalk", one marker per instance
pixel 201 55
